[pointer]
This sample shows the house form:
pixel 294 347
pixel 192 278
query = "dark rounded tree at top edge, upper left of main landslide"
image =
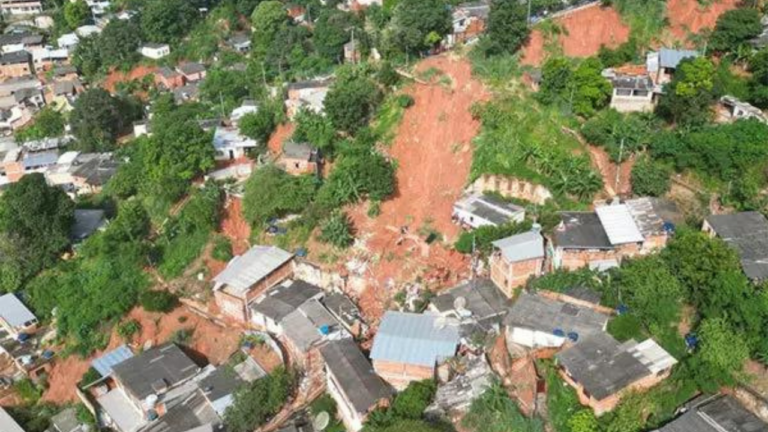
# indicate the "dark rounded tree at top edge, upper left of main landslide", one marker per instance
pixel 414 20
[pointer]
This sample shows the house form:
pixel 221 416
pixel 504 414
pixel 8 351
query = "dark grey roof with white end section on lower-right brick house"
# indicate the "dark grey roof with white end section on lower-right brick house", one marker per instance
pixel 605 367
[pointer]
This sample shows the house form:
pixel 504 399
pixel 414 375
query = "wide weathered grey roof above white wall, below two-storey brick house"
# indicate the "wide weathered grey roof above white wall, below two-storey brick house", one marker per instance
pixel 543 314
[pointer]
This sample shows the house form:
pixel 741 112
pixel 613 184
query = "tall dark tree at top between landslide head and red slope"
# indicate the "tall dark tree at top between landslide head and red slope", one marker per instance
pixel 507 26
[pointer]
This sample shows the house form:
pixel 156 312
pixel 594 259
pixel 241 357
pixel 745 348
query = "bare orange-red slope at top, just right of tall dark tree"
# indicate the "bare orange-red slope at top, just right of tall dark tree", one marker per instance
pixel 585 31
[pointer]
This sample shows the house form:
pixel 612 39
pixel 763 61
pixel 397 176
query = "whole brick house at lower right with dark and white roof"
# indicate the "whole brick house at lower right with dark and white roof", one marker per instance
pixel 602 370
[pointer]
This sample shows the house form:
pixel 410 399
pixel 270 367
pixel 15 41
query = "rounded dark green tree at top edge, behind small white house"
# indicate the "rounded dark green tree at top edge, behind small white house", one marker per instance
pixel 167 21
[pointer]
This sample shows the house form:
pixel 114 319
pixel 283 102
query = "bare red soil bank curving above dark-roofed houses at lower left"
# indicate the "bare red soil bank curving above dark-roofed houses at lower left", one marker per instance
pixel 211 341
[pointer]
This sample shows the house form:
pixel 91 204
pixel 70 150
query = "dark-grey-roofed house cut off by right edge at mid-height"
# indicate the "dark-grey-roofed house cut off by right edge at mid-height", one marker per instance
pixel 747 233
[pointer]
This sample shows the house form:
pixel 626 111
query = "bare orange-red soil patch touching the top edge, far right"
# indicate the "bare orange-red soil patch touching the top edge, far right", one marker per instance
pixel 689 16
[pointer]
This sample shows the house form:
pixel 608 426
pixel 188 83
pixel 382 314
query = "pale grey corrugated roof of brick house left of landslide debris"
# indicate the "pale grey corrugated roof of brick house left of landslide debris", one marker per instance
pixel 245 270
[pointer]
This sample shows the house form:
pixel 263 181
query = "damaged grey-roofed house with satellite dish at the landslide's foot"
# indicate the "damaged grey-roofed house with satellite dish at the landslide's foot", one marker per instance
pixel 477 304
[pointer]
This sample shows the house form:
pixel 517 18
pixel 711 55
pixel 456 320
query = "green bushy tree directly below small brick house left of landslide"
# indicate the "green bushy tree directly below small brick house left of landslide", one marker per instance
pixel 271 193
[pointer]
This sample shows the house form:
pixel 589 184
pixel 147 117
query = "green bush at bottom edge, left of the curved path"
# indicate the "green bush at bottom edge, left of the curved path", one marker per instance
pixel 255 403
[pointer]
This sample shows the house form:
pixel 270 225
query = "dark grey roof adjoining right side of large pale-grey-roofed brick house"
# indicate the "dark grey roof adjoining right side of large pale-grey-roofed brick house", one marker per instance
pixel 285 298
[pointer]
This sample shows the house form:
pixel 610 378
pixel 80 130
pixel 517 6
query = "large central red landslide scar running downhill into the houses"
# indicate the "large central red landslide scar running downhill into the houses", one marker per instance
pixel 434 153
